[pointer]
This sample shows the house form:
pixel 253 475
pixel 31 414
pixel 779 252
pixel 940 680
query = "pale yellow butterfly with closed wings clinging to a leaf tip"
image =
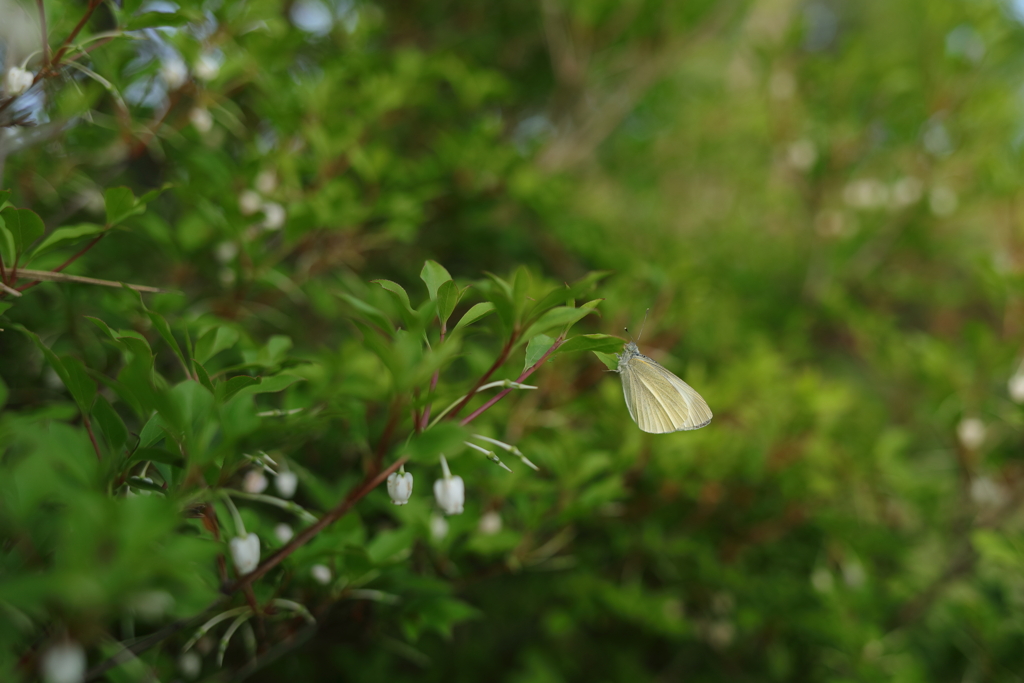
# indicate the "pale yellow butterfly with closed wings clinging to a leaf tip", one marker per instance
pixel 659 402
